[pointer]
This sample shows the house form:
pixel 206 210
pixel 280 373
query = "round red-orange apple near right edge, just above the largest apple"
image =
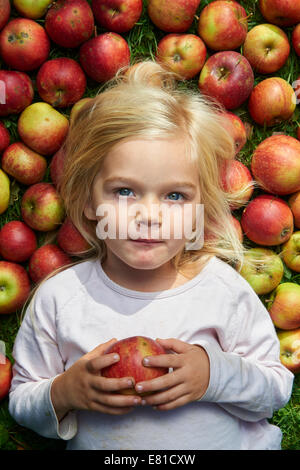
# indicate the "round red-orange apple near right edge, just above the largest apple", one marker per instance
pixel 272 101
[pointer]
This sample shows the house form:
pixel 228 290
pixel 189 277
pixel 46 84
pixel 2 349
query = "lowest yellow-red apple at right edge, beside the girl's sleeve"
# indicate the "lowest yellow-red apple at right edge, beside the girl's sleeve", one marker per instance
pixel 290 349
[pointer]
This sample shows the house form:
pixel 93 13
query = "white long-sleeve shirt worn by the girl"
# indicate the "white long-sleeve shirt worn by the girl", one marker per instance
pixel 81 307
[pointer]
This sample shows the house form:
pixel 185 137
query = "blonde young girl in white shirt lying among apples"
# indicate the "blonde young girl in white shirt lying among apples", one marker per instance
pixel 145 142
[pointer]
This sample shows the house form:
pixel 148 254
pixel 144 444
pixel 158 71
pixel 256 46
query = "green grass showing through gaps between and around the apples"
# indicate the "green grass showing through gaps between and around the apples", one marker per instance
pixel 142 40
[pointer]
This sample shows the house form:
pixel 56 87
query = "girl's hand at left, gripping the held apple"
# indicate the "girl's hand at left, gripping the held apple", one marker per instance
pixel 82 387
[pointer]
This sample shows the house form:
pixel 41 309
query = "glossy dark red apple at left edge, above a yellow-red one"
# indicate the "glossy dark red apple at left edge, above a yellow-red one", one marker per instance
pixel 17 241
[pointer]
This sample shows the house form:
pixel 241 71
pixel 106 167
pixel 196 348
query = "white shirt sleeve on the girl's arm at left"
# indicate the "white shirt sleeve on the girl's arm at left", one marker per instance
pixel 37 361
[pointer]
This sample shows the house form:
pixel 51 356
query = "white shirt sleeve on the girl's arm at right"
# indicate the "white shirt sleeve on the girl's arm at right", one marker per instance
pixel 249 380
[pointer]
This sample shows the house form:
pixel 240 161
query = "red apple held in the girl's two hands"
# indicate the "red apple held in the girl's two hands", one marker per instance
pixel 132 352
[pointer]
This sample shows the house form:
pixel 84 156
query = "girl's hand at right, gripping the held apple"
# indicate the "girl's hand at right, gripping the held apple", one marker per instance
pixel 188 381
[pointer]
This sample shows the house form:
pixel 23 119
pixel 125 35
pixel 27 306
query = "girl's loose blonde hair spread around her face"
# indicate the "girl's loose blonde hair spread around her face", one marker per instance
pixel 145 101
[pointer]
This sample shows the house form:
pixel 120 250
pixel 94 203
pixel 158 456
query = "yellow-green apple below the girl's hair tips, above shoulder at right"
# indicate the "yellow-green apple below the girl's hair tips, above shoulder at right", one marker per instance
pixel 262 276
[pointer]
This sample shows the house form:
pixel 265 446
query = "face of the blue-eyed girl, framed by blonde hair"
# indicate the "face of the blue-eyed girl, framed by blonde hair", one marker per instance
pixel 145 190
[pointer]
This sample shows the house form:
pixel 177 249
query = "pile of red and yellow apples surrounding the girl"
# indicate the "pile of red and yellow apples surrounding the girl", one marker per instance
pixel 224 55
